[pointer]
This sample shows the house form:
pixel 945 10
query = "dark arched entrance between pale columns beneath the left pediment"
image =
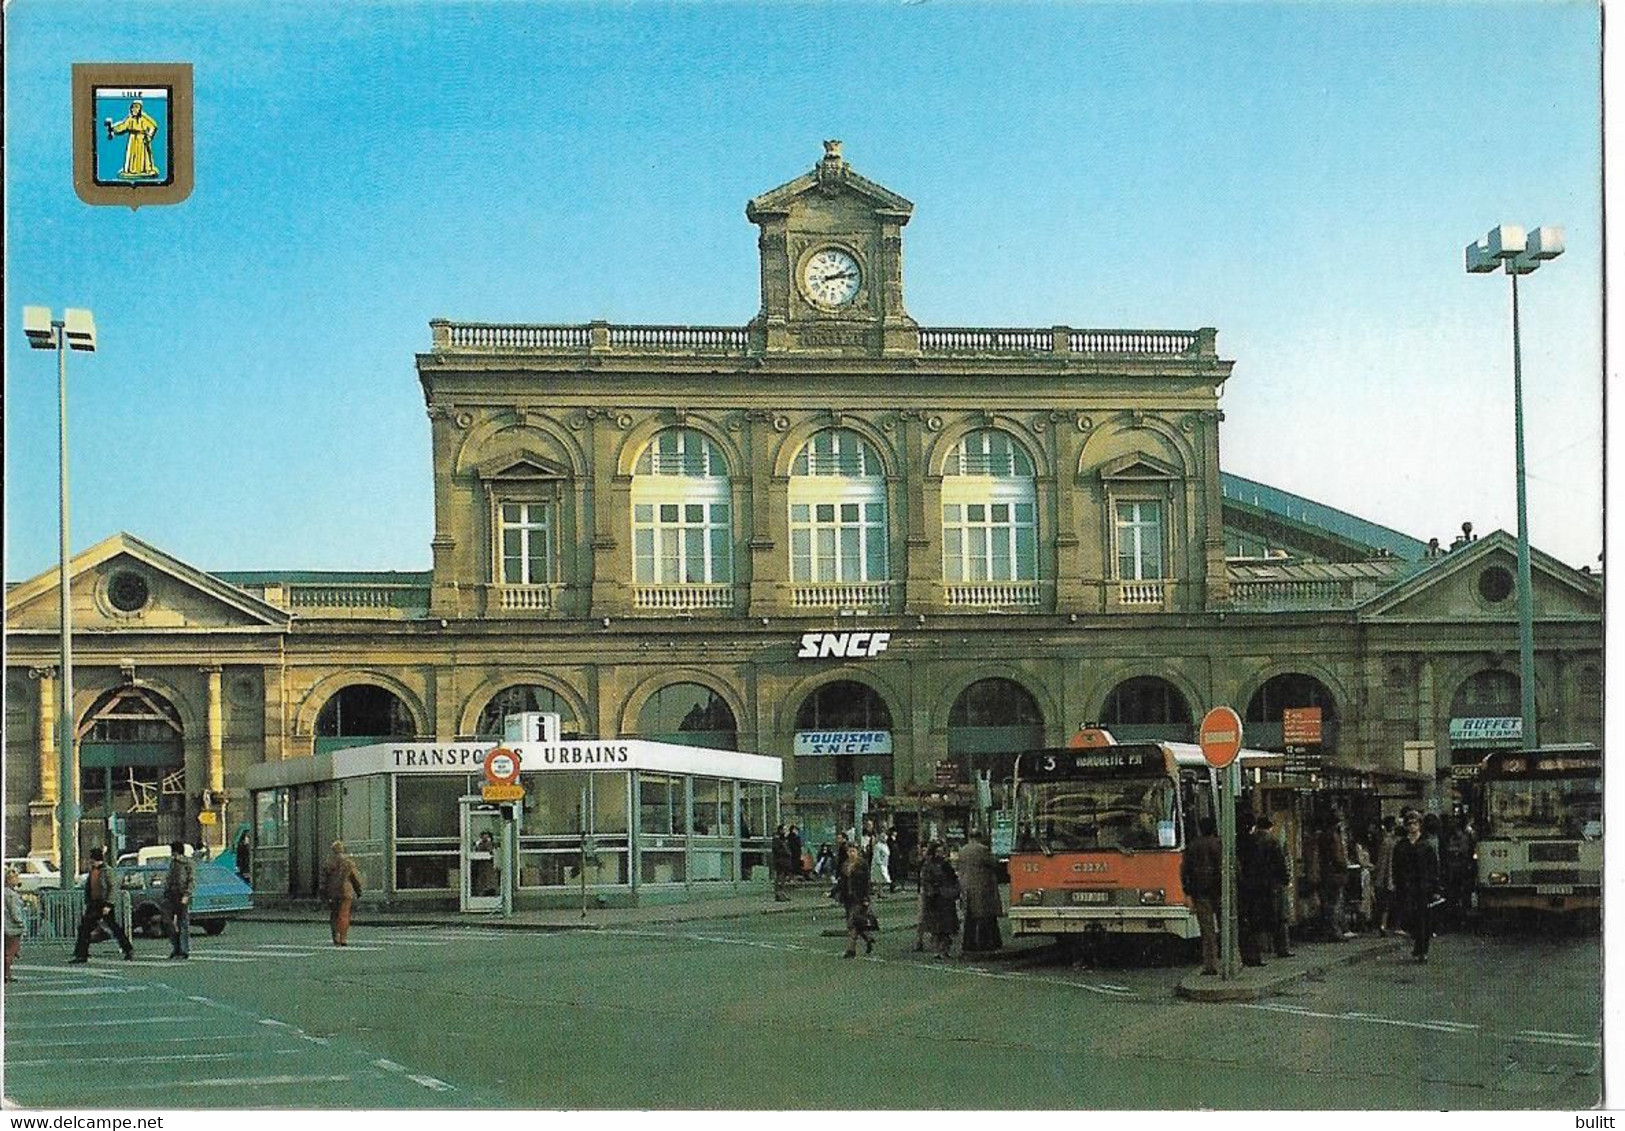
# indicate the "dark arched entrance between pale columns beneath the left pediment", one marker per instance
pixel 132 771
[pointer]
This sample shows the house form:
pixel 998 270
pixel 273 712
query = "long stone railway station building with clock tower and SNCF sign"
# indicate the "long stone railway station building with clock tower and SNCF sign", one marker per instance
pixel 888 555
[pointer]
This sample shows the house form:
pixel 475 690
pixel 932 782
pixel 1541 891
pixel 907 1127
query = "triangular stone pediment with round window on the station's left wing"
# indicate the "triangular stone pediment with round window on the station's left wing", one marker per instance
pixel 126 584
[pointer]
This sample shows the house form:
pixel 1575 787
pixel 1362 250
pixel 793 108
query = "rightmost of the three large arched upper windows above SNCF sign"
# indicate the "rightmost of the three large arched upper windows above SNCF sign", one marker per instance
pixel 989 511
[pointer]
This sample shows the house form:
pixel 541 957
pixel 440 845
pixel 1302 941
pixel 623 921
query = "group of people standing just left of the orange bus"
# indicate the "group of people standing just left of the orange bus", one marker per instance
pixel 956 893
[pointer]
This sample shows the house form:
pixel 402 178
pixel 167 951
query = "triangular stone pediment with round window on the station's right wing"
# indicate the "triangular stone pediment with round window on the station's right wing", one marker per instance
pixel 1478 583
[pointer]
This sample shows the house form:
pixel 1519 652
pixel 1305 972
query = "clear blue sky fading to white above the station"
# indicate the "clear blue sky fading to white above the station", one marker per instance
pixel 1302 178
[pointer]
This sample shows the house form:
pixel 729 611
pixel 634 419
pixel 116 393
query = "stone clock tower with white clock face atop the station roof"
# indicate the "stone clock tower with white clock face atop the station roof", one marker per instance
pixel 833 256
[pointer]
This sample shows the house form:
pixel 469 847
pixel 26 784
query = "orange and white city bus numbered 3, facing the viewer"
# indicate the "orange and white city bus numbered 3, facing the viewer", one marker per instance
pixel 1101 834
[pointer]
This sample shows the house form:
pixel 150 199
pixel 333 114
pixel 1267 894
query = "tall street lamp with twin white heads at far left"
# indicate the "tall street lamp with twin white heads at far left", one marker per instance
pixel 74 331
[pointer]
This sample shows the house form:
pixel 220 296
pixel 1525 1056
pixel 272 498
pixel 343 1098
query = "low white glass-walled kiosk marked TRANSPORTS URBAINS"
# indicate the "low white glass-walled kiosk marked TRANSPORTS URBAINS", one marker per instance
pixel 615 823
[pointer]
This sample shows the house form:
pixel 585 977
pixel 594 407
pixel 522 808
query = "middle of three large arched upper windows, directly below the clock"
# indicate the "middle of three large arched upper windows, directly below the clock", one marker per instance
pixel 838 513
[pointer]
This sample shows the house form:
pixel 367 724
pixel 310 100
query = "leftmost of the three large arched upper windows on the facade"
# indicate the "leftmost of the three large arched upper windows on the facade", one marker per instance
pixel 682 513
